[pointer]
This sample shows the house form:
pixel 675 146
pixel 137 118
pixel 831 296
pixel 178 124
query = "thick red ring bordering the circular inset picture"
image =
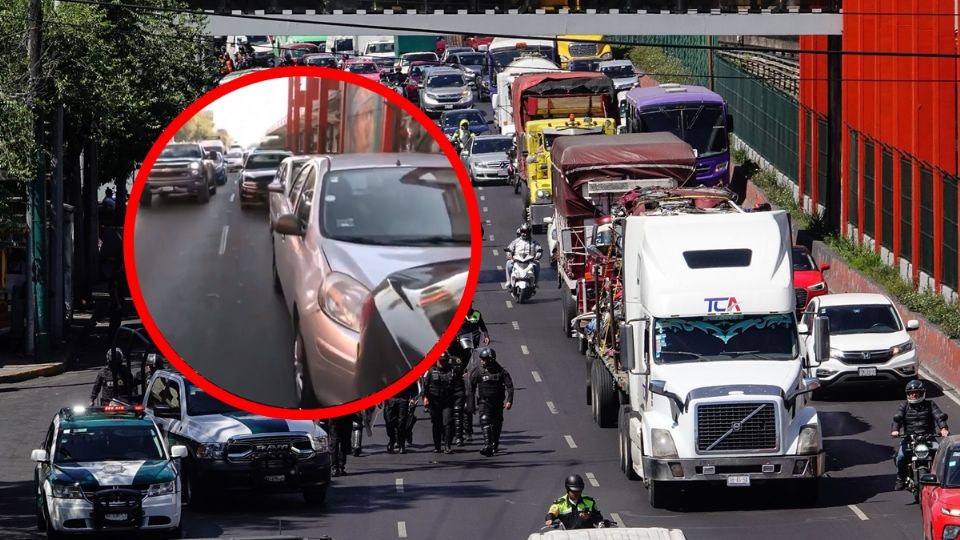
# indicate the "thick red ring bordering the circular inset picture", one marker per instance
pixel 280 412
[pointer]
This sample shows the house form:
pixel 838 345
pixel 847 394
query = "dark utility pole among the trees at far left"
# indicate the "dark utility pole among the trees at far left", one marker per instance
pixel 36 201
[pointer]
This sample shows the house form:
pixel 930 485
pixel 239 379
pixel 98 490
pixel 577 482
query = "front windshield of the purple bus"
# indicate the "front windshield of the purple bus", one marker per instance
pixel 700 126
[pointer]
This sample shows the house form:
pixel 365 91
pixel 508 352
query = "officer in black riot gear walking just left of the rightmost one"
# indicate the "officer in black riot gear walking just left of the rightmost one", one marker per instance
pixel 443 391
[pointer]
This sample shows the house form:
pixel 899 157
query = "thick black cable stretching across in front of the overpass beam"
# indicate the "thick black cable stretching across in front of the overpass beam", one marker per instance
pixel 744 48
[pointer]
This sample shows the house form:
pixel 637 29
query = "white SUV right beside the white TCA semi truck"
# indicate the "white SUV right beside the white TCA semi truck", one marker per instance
pixel 868 340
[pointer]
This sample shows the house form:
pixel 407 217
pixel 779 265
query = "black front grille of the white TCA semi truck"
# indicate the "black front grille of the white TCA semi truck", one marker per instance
pixel 730 427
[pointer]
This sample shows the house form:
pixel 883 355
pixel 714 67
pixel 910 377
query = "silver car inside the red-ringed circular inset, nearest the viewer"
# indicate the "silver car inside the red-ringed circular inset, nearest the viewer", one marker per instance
pixel 346 223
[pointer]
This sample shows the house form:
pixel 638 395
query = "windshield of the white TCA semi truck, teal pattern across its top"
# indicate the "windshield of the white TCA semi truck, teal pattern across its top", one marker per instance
pixel 725 337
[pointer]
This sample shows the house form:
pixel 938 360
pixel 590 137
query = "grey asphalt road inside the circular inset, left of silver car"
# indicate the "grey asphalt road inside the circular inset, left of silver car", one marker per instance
pixel 206 278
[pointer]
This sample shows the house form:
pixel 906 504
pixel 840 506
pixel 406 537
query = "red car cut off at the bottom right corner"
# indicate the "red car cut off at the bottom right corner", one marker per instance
pixel 940 493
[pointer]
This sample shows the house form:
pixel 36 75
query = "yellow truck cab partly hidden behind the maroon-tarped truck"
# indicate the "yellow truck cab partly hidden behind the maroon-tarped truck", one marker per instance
pixel 538 137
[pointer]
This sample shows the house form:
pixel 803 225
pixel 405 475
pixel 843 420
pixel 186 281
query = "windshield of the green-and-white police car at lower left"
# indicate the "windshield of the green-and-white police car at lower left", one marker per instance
pixel 127 441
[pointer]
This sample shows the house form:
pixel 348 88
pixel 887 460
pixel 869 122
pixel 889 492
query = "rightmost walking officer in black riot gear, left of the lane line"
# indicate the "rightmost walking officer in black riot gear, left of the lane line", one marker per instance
pixel 494 393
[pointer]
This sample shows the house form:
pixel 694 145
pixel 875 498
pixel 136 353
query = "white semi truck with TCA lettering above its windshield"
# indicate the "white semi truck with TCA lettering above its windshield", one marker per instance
pixel 697 357
